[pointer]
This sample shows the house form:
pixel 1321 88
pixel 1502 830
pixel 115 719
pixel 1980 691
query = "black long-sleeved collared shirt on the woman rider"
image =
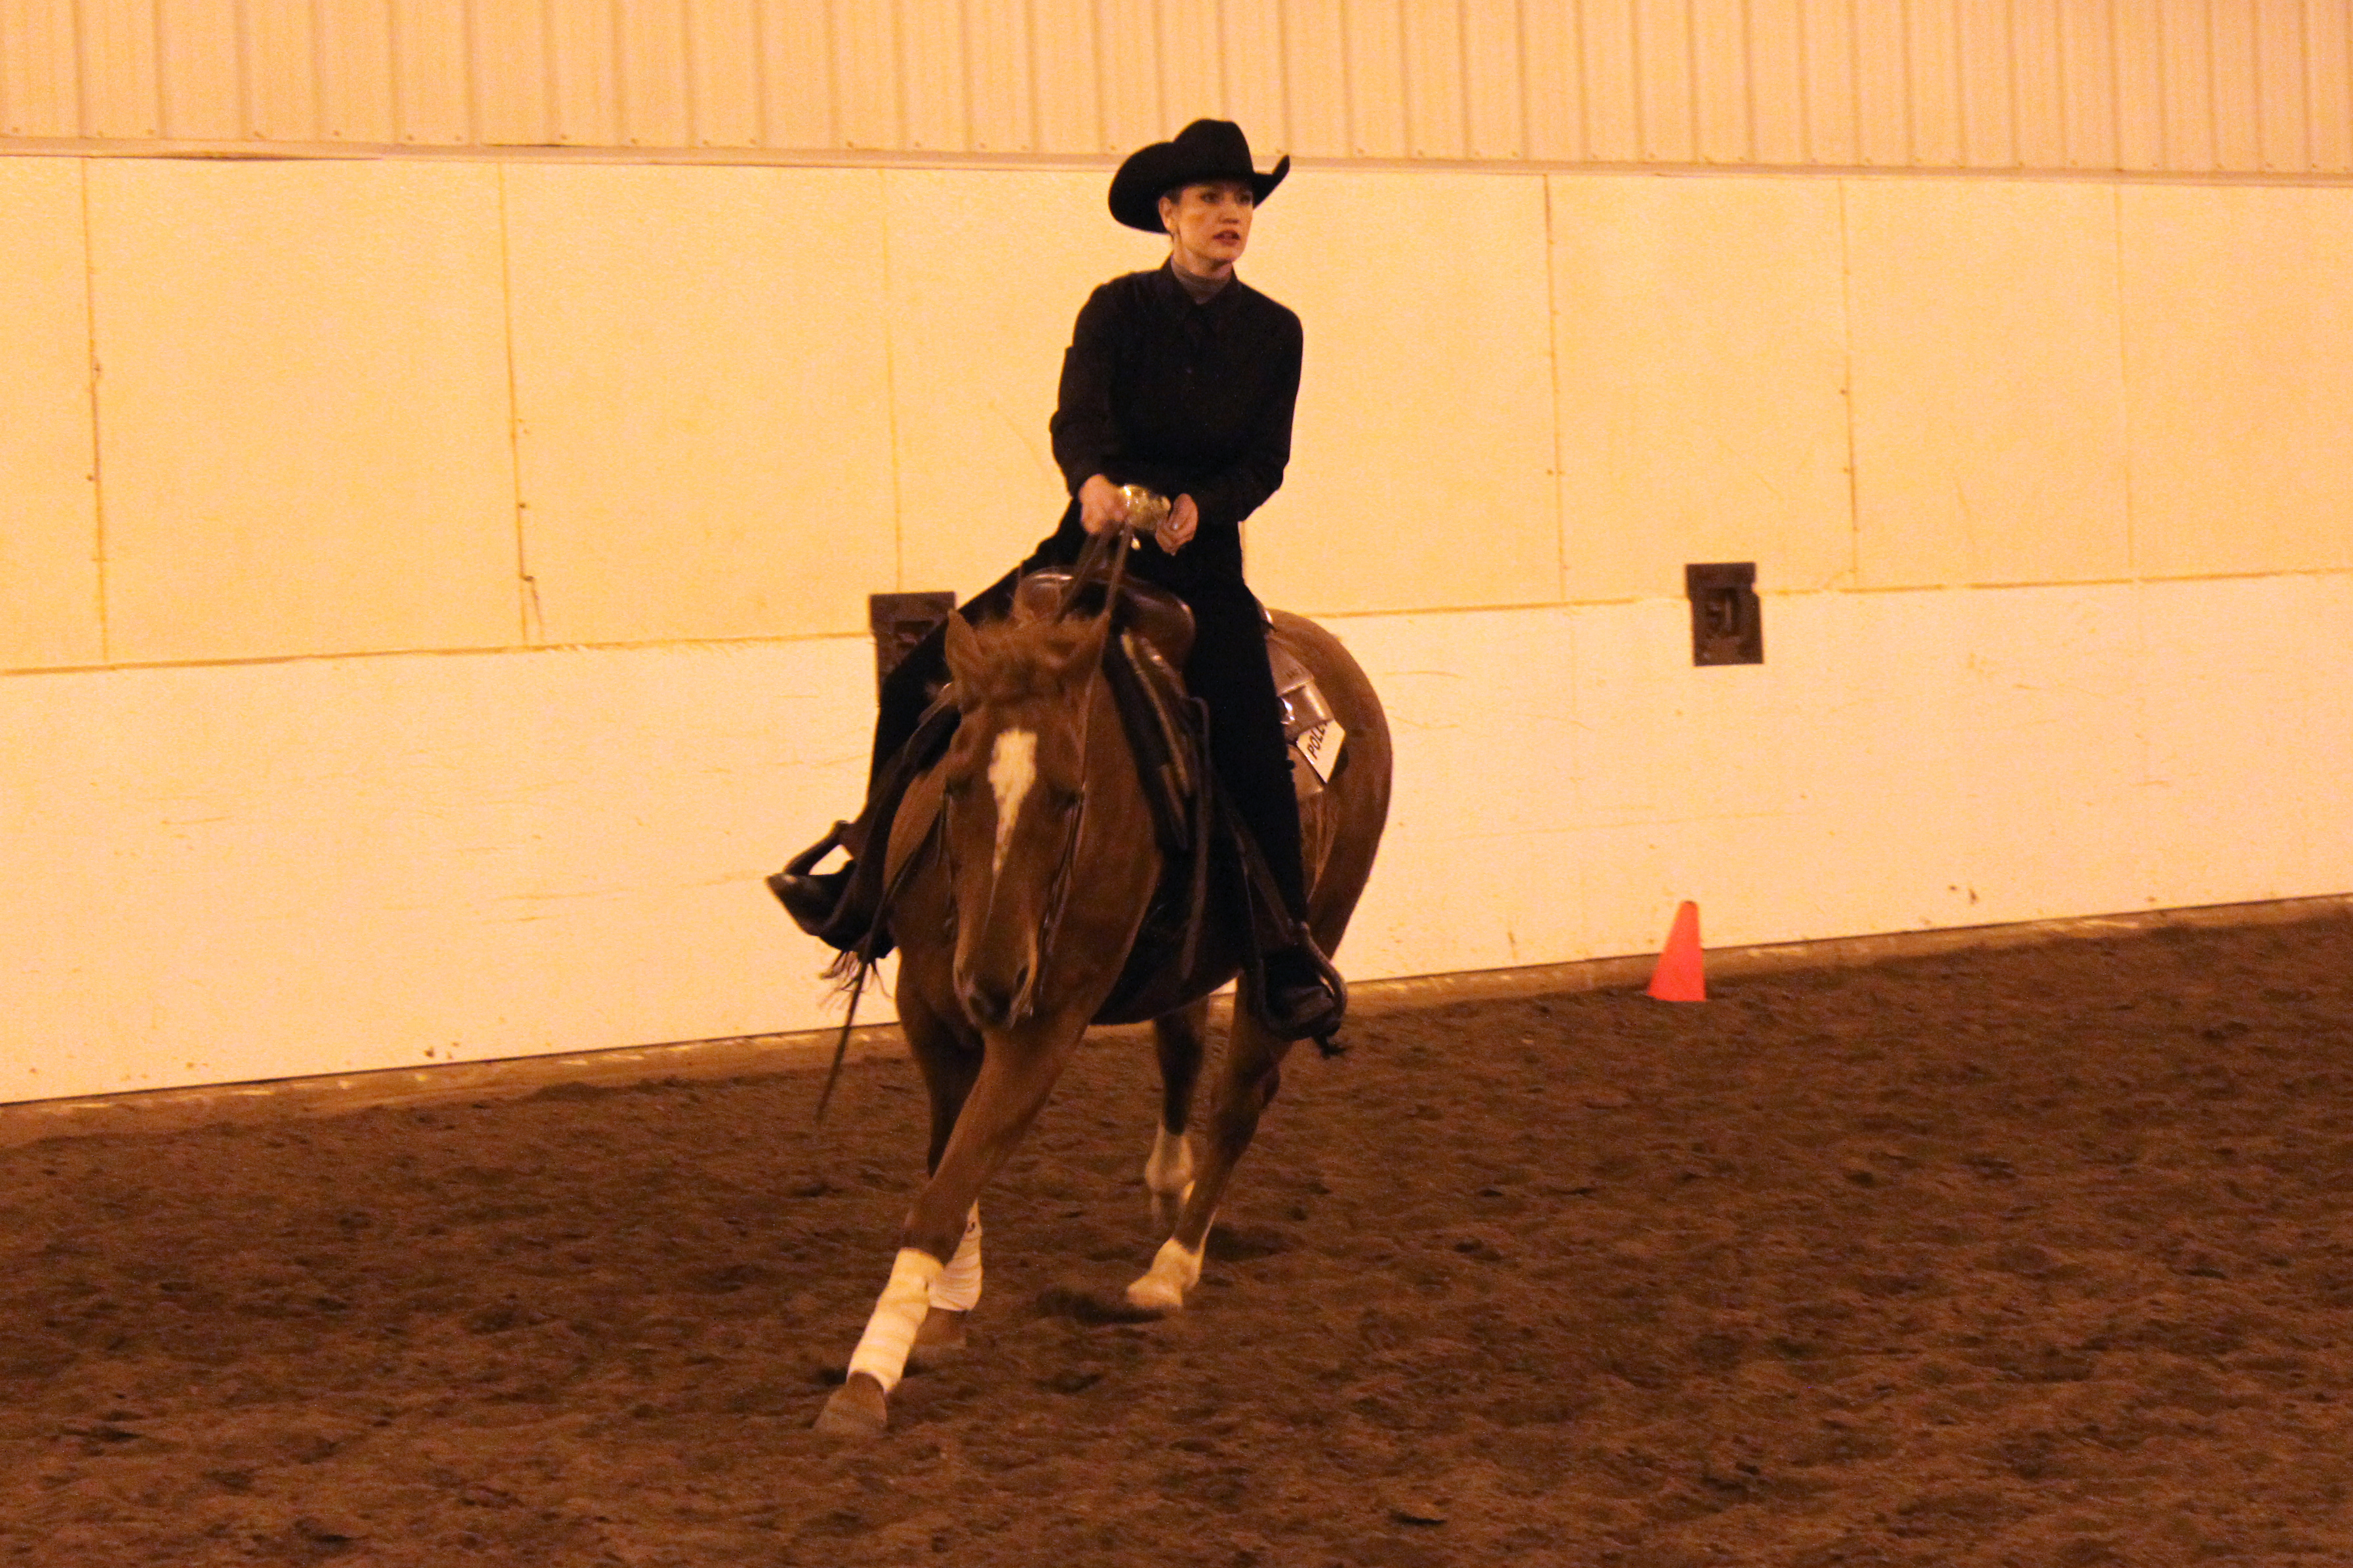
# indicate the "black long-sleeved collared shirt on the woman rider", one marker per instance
pixel 1187 399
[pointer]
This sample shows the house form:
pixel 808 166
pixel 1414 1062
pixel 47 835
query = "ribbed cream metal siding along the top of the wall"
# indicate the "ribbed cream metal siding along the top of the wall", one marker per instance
pixel 2152 86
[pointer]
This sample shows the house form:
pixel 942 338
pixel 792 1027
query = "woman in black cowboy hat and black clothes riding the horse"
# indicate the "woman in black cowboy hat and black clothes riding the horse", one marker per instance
pixel 1180 380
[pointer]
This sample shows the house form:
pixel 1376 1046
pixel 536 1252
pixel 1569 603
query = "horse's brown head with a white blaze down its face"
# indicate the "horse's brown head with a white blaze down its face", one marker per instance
pixel 1015 783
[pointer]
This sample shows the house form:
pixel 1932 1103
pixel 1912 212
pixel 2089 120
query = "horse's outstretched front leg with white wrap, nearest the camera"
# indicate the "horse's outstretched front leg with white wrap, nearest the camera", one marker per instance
pixel 1018 1075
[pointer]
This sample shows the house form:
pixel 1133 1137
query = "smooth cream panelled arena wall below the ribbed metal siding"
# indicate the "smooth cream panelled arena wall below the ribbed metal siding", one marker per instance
pixel 432 592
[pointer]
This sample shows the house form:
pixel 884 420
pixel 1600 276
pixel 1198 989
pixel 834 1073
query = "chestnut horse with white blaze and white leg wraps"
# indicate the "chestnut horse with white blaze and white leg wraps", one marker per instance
pixel 1022 870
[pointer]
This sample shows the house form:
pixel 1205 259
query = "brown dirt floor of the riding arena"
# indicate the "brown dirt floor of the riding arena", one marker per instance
pixel 2032 1258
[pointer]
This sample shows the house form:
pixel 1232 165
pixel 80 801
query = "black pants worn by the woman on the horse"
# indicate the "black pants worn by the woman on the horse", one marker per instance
pixel 1227 672
